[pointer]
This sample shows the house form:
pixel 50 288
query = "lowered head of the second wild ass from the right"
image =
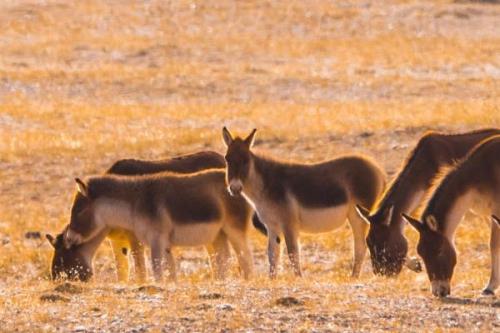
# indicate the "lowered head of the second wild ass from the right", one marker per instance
pixel 388 246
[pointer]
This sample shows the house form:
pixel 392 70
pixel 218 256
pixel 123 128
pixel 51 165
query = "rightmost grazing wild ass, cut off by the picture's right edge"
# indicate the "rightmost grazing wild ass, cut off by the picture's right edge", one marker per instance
pixel 474 183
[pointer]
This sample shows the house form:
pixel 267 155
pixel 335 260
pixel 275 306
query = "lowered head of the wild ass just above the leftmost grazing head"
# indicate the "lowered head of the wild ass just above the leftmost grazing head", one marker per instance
pixel 82 224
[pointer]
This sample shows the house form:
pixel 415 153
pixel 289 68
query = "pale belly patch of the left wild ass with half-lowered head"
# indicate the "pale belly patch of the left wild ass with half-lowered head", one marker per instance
pixel 194 234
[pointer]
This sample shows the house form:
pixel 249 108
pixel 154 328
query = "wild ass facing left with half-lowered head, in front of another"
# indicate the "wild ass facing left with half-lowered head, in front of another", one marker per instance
pixel 163 210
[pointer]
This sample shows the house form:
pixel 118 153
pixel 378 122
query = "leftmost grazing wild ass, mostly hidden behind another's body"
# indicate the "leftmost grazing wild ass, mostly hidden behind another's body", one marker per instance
pixel 76 262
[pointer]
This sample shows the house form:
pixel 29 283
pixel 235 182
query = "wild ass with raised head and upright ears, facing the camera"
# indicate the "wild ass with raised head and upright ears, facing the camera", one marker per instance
pixel 290 198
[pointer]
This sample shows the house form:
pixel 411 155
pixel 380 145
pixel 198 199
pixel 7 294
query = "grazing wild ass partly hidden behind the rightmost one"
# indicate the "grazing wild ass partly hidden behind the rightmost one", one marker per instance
pixel 386 241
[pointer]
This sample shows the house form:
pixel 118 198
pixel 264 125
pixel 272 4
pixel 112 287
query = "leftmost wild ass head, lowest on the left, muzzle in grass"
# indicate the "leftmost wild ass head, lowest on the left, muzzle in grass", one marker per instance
pixel 68 263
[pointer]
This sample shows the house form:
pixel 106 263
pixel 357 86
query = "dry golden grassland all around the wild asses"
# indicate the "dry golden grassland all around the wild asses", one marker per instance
pixel 84 83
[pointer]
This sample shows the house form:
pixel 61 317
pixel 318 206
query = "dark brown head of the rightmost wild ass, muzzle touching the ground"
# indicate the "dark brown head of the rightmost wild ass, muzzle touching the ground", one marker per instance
pixel 438 253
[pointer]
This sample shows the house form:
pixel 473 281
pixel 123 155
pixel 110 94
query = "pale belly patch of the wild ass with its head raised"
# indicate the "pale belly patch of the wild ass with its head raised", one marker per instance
pixel 322 220
